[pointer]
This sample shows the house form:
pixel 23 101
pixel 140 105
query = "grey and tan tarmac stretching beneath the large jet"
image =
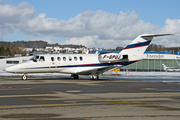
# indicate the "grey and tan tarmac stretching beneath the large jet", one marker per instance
pixel 113 97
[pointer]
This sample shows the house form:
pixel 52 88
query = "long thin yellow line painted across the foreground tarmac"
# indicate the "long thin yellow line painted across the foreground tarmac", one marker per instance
pixel 69 104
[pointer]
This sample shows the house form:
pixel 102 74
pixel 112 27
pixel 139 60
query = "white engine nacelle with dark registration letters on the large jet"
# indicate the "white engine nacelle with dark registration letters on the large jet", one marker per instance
pixel 112 57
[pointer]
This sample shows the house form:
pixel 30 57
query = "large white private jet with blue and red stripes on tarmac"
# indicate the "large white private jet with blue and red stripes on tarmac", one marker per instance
pixel 85 64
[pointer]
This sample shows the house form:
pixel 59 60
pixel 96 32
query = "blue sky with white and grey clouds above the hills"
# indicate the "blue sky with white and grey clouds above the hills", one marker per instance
pixel 93 23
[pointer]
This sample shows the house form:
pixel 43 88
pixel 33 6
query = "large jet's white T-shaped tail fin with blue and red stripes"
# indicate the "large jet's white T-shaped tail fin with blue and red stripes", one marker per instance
pixel 137 47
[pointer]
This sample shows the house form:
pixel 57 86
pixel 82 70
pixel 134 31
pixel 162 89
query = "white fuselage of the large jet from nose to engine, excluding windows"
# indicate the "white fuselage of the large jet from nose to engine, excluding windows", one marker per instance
pixel 84 62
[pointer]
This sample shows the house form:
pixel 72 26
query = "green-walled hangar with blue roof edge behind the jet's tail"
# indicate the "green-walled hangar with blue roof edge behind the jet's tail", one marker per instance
pixel 152 61
